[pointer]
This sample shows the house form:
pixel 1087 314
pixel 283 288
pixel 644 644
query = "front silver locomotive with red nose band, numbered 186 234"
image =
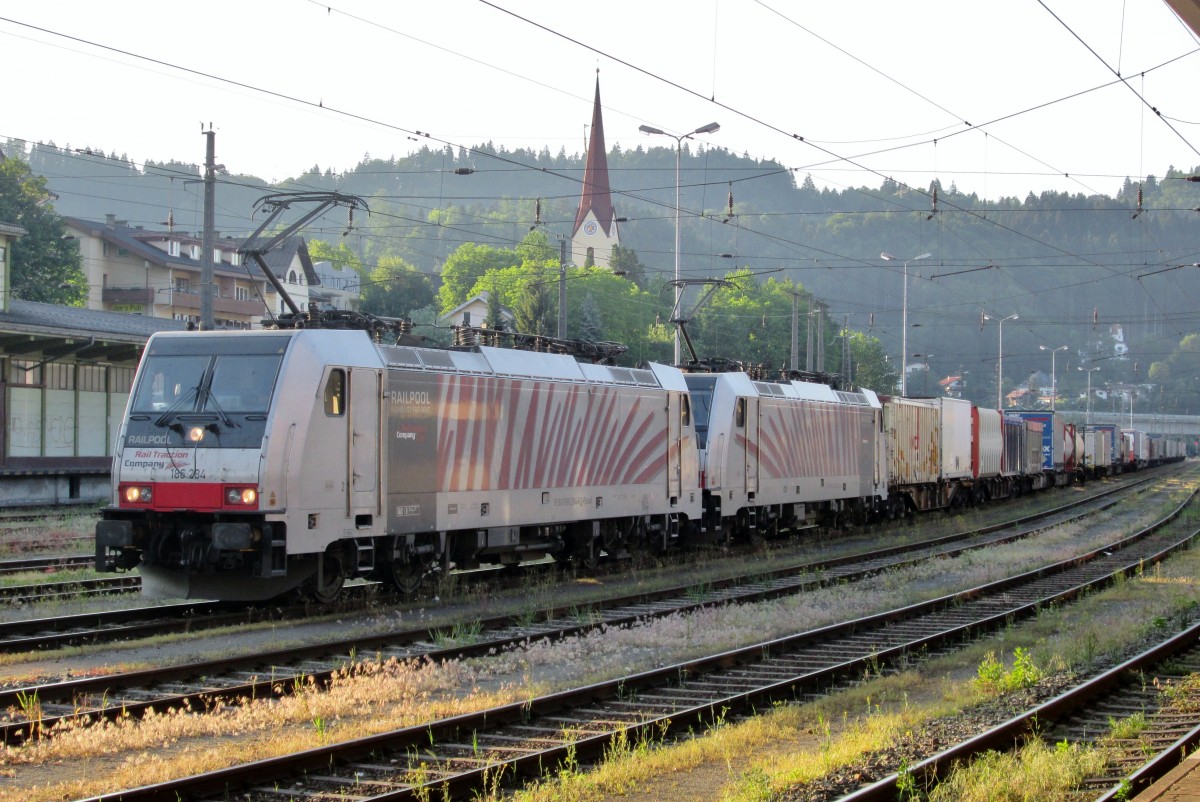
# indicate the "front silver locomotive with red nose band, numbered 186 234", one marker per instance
pixel 356 459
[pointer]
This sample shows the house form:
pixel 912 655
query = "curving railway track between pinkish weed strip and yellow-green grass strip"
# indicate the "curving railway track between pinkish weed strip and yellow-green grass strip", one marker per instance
pixel 473 755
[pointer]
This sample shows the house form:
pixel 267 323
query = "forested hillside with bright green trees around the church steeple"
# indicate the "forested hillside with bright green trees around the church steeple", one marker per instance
pixel 1108 272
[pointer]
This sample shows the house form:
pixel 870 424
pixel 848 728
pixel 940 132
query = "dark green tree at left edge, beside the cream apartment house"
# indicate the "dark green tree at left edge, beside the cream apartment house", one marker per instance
pixel 46 264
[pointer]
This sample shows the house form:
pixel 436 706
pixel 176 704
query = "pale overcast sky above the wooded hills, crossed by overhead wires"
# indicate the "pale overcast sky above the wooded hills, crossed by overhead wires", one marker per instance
pixel 869 85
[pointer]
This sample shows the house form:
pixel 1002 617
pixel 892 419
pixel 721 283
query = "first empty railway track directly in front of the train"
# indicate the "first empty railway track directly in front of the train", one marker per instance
pixel 277 673
